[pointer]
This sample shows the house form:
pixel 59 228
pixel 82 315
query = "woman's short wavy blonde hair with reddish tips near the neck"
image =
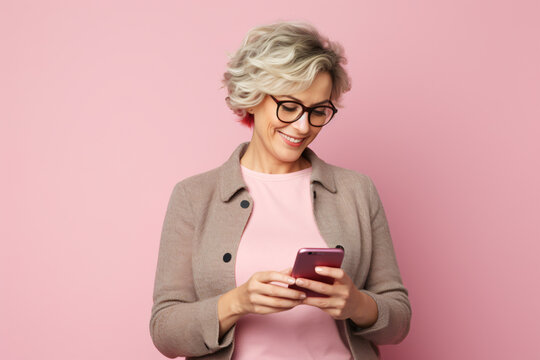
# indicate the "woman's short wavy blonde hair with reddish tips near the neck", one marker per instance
pixel 282 58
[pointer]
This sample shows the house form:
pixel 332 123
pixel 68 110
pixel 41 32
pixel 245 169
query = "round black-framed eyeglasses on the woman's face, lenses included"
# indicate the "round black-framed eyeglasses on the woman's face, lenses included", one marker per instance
pixel 289 111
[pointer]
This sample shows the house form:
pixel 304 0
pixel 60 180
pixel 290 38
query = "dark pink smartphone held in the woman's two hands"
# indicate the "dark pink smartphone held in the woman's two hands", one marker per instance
pixel 307 259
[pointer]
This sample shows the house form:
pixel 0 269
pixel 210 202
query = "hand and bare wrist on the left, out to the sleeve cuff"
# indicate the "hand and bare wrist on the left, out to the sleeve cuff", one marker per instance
pixel 258 296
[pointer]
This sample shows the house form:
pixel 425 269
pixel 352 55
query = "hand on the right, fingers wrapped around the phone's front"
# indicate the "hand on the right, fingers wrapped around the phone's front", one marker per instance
pixel 344 300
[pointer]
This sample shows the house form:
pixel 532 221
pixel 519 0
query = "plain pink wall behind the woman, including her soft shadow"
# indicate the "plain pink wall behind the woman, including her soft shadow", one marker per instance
pixel 104 106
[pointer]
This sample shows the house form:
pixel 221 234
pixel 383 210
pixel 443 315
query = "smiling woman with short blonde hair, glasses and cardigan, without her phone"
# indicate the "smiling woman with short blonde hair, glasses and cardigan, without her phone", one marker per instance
pixel 231 234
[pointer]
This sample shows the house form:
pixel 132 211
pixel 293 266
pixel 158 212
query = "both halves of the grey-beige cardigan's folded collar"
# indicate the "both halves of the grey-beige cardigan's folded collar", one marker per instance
pixel 231 180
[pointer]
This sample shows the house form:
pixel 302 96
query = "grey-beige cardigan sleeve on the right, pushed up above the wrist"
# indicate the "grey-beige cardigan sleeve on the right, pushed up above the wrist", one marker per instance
pixel 384 282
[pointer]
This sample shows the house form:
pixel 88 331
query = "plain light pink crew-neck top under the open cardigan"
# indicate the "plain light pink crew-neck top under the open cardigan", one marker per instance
pixel 282 222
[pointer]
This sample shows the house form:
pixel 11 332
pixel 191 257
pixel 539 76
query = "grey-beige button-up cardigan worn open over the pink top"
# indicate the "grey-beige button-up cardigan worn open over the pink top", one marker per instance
pixel 205 218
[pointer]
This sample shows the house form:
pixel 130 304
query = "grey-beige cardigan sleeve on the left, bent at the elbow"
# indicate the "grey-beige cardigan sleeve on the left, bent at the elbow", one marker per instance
pixel 181 324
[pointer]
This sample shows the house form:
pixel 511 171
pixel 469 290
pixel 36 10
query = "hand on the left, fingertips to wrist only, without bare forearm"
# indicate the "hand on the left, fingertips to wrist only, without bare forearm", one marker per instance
pixel 259 295
